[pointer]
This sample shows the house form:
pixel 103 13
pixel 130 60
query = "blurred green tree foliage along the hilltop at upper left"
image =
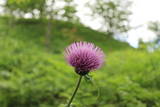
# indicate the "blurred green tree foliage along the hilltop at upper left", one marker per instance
pixel 43 8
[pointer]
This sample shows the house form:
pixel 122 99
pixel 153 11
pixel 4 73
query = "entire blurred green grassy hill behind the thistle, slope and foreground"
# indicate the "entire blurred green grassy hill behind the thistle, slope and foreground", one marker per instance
pixel 33 76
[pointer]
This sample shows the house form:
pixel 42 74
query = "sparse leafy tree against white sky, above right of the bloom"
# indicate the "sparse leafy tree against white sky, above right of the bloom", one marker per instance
pixel 113 13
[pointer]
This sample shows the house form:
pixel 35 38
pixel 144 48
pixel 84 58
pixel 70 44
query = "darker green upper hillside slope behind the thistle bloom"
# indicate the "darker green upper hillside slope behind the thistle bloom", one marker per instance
pixel 62 34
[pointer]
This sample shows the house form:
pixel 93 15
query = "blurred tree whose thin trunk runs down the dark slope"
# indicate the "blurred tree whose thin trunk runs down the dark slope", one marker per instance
pixel 53 12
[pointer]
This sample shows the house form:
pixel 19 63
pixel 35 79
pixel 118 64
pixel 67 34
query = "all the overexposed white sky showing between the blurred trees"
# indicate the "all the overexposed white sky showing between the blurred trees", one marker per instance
pixel 143 11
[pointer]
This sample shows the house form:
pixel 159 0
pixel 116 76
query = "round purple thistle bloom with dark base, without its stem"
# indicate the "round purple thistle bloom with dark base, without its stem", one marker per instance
pixel 84 57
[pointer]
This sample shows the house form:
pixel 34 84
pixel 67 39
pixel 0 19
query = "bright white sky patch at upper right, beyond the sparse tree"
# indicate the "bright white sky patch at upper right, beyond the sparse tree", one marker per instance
pixel 143 12
